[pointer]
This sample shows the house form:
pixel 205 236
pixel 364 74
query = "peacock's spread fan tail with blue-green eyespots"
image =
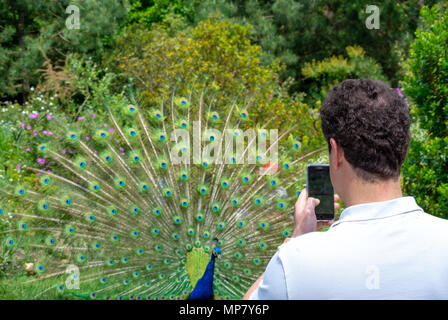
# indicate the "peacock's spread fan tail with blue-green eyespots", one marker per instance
pixel 130 208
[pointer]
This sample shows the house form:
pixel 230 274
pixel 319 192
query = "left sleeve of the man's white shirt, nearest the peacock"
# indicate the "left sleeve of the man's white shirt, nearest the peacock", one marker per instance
pixel 273 285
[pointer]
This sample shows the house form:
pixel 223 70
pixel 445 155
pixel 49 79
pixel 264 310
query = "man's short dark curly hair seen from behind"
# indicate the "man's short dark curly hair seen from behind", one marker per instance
pixel 371 122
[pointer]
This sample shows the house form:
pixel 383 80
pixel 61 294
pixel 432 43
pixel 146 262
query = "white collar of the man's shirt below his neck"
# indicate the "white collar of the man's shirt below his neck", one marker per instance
pixel 378 210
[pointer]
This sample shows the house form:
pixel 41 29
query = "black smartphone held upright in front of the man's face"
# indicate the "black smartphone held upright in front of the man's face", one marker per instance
pixel 319 186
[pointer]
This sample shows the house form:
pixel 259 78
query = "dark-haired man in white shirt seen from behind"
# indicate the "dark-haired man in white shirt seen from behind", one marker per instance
pixel 384 246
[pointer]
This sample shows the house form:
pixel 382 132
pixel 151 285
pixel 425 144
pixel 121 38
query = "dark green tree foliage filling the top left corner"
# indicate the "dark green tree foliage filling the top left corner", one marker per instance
pixel 31 30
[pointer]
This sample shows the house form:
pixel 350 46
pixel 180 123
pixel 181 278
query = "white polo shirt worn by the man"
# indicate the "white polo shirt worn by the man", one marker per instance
pixel 379 250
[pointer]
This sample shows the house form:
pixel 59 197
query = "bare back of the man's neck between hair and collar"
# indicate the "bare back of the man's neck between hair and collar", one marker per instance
pixel 360 192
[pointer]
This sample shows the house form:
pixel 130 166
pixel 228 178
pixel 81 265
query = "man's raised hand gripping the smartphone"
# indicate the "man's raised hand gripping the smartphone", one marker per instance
pixel 305 218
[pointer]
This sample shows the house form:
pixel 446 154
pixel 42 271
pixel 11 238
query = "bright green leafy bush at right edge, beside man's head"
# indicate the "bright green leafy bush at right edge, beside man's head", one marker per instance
pixel 425 173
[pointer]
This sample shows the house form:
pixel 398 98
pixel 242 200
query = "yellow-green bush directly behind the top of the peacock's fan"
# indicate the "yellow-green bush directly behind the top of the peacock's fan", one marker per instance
pixel 214 54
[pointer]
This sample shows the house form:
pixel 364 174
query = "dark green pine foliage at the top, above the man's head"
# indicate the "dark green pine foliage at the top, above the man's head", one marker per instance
pixel 296 32
